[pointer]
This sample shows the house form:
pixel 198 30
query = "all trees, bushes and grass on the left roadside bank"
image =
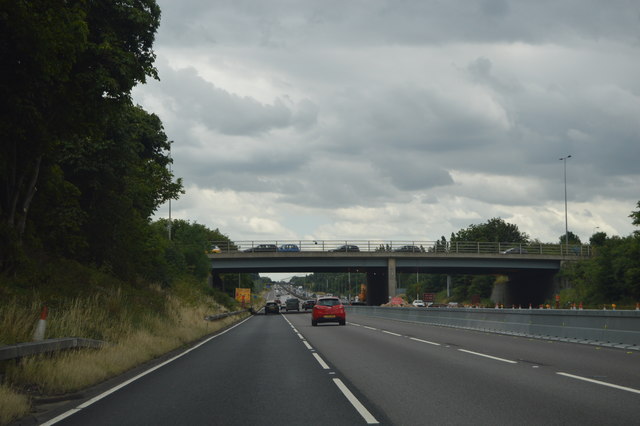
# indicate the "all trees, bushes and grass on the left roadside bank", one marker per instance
pixel 82 171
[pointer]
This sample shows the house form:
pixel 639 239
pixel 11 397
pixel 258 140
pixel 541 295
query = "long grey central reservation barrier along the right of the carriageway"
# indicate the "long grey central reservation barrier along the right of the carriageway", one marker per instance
pixel 605 328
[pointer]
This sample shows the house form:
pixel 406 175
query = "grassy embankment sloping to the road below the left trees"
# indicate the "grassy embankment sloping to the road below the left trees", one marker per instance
pixel 139 323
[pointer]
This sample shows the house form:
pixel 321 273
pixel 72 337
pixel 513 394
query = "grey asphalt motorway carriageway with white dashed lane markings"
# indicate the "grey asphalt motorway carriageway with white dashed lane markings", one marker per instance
pixel 278 369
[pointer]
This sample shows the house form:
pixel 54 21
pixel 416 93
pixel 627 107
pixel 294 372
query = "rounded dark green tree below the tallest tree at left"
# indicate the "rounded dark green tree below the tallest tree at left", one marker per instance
pixel 105 189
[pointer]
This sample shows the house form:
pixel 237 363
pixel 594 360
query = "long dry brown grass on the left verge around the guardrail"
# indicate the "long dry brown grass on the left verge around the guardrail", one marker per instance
pixel 133 338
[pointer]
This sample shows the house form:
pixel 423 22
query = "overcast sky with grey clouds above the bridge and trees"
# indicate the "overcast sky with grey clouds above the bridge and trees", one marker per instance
pixel 400 120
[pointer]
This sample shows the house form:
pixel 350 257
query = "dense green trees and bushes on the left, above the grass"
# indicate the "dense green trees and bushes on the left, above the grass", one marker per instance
pixel 83 169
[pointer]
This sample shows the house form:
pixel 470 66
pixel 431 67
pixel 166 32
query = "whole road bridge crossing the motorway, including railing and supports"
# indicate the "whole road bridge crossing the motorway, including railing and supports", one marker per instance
pixel 530 267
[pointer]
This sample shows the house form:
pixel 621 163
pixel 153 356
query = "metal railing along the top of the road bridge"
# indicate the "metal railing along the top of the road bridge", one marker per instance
pixel 400 247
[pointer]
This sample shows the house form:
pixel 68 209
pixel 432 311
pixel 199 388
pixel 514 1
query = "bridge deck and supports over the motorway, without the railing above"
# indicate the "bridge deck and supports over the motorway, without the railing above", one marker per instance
pixel 531 277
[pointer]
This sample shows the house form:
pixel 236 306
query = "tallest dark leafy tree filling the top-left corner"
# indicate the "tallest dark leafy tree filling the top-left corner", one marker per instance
pixel 66 66
